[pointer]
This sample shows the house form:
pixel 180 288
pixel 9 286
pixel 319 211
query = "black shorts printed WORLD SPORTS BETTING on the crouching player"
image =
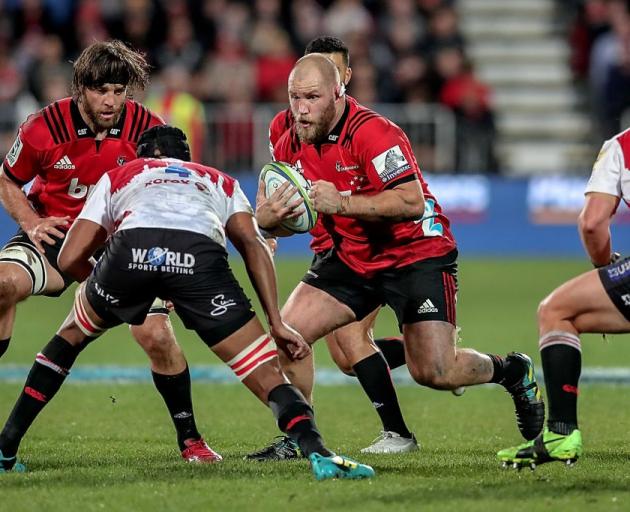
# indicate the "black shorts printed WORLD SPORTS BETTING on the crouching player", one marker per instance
pixel 186 268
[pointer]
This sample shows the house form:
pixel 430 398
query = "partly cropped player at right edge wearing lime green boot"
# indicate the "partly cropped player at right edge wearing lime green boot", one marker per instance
pixel 597 301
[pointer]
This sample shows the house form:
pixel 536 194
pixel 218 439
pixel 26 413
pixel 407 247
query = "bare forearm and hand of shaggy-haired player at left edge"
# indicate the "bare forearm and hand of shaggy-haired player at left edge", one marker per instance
pixel 17 206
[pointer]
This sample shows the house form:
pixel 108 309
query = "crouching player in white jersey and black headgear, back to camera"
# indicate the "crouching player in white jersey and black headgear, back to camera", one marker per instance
pixel 157 202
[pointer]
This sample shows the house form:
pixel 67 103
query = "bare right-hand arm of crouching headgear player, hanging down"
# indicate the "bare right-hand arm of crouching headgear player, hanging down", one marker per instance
pixel 242 231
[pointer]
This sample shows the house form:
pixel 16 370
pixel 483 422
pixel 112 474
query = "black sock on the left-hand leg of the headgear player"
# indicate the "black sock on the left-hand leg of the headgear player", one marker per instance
pixel 47 374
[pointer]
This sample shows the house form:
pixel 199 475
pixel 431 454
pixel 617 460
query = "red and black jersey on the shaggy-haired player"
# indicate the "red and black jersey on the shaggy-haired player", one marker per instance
pixel 57 149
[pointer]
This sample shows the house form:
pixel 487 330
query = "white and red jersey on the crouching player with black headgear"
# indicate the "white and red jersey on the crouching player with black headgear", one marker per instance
pixel 166 193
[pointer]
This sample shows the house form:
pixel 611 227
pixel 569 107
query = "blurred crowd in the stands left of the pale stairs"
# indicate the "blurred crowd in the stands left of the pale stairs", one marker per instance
pixel 239 53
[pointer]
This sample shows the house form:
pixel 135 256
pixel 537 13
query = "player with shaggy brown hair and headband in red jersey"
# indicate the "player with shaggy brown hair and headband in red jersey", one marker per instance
pixel 65 148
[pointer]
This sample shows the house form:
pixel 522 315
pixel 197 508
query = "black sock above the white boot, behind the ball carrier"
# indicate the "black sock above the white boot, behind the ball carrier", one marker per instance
pixel 376 381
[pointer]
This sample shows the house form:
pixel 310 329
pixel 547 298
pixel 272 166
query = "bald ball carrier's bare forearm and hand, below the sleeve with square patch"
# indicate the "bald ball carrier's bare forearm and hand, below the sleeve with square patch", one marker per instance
pixel 402 202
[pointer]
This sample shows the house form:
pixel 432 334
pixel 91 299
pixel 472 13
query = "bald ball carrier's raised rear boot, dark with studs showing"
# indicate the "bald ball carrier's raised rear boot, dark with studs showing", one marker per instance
pixel 528 402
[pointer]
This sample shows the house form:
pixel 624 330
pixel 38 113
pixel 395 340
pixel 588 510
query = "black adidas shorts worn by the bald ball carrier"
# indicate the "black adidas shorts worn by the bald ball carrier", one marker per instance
pixel 425 290
